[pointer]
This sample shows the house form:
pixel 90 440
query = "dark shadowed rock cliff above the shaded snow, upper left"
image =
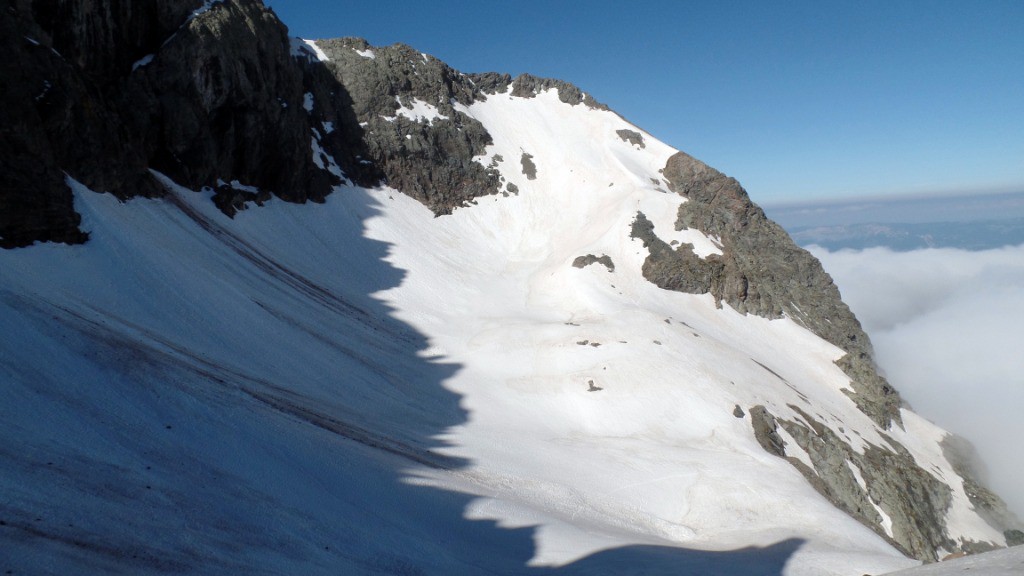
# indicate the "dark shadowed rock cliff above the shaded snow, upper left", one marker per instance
pixel 207 93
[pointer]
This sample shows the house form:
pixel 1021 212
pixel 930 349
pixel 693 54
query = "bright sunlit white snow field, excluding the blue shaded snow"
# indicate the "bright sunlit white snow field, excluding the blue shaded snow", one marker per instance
pixel 657 452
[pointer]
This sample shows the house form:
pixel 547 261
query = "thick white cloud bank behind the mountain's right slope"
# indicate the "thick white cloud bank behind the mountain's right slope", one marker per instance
pixel 948 331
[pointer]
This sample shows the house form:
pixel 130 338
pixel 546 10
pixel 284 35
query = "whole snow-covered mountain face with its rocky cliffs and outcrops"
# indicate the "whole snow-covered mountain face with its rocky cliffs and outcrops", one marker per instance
pixel 518 336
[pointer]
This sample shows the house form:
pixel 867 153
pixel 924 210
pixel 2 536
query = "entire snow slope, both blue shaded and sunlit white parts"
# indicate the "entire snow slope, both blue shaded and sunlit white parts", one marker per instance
pixel 361 388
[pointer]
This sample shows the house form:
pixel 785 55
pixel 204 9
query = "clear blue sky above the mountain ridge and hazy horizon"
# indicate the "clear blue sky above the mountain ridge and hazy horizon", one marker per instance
pixel 799 101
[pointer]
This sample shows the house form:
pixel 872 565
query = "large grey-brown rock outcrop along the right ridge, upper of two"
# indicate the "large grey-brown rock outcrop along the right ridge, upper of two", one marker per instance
pixel 760 272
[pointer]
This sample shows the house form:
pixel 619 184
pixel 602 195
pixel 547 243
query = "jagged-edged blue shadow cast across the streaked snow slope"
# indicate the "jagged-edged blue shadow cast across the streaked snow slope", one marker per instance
pixel 231 410
